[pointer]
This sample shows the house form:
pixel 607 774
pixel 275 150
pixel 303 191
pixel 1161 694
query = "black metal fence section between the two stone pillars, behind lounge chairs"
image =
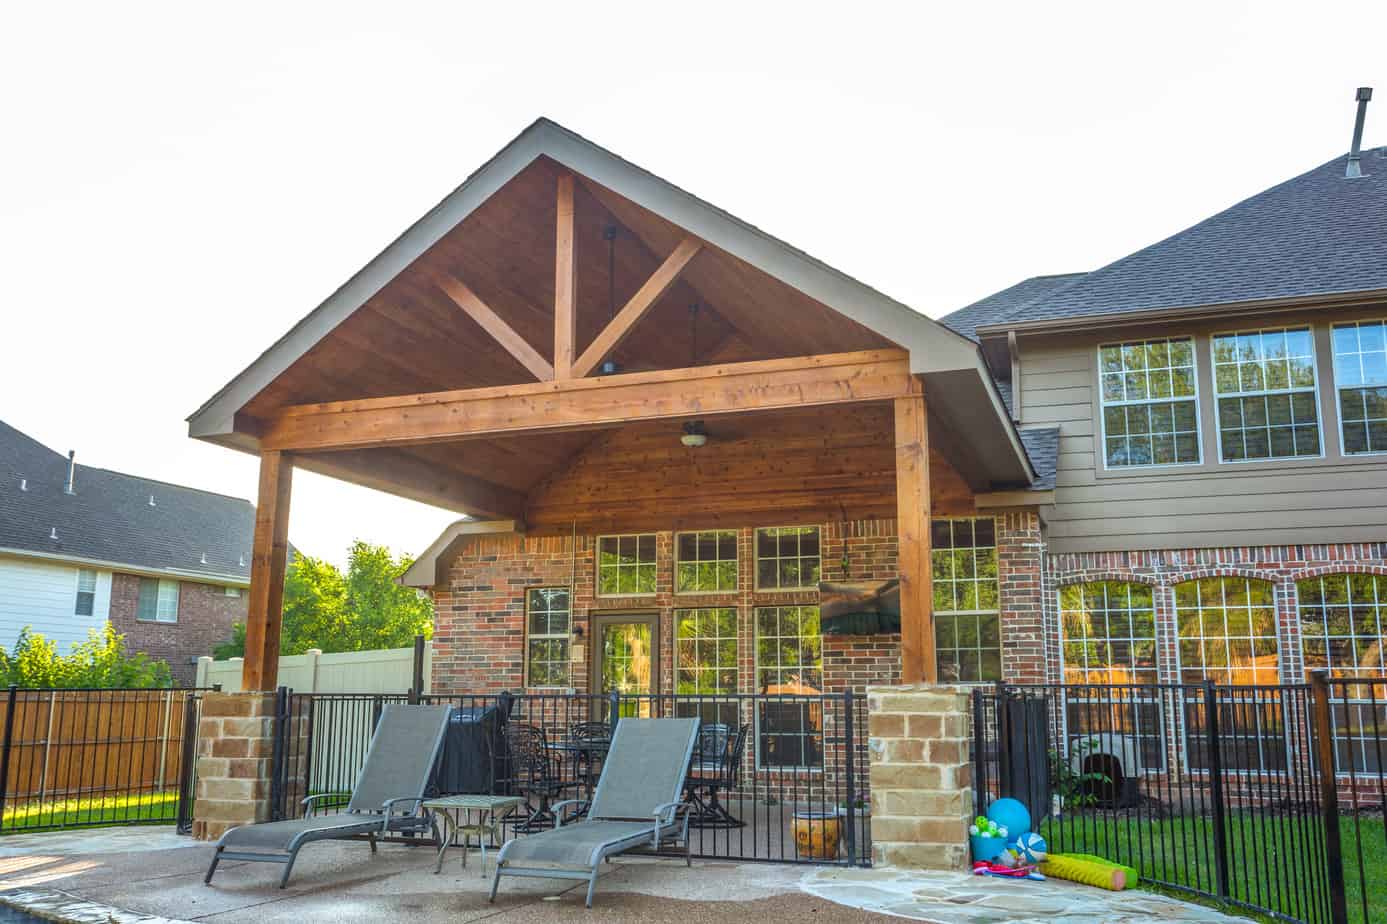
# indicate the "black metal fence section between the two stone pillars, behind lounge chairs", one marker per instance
pixel 798 792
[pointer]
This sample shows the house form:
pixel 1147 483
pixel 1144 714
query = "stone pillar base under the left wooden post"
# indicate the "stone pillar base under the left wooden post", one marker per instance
pixel 235 747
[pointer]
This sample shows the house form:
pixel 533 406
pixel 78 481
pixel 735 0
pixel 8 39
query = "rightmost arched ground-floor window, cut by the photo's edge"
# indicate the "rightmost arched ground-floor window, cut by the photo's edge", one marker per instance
pixel 1345 624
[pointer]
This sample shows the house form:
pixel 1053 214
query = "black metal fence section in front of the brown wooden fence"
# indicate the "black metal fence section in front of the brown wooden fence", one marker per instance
pixel 84 758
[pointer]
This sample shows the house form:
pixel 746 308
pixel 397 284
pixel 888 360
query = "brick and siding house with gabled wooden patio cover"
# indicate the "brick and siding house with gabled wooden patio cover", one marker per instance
pixel 669 428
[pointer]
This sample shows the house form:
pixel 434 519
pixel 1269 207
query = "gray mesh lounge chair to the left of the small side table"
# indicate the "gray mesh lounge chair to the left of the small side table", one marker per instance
pixel 388 797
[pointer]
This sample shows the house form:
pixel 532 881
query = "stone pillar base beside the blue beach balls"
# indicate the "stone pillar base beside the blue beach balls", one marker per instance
pixel 922 778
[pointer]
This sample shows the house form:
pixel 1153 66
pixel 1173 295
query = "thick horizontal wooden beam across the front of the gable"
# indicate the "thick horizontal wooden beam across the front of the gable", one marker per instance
pixel 586 404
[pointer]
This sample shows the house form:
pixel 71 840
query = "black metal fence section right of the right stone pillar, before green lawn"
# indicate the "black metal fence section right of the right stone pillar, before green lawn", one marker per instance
pixel 1216 792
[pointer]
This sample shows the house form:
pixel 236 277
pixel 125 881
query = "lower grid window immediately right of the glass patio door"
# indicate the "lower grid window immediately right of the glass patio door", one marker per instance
pixel 705 664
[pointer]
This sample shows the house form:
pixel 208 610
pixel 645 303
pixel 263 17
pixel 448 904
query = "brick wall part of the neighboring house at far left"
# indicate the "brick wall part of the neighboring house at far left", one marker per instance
pixel 206 615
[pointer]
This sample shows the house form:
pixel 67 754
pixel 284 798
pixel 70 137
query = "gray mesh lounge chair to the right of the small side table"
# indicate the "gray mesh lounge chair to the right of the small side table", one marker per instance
pixel 636 805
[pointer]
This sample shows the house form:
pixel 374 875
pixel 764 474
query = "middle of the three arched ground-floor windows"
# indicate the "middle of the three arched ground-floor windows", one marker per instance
pixel 1228 631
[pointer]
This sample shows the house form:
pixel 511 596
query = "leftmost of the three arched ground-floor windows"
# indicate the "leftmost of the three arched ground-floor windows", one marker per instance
pixel 1109 633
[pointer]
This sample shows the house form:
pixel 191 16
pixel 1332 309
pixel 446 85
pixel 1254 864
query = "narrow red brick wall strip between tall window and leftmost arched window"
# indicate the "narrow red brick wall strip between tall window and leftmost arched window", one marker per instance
pixel 1020 568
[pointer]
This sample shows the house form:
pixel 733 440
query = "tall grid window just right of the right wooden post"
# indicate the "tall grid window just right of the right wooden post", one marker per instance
pixel 967 622
